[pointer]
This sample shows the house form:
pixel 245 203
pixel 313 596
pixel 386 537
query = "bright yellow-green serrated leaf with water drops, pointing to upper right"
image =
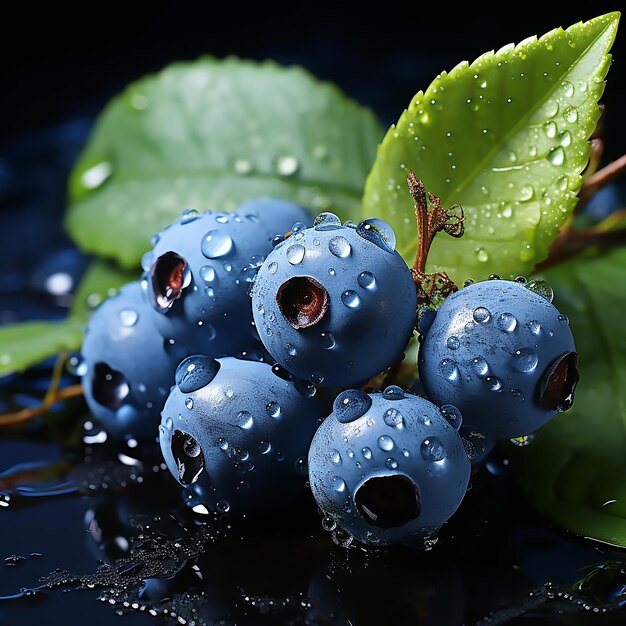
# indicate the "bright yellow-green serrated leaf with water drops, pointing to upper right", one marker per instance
pixel 507 138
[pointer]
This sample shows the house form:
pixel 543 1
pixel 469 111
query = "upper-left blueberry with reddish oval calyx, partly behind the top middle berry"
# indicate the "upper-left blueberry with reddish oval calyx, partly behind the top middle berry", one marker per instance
pixel 199 271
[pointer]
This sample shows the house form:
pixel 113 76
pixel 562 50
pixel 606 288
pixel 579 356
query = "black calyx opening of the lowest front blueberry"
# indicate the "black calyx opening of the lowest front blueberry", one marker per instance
pixel 388 501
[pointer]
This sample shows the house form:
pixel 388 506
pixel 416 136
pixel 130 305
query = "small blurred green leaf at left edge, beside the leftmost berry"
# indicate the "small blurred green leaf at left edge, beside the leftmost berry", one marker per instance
pixel 28 343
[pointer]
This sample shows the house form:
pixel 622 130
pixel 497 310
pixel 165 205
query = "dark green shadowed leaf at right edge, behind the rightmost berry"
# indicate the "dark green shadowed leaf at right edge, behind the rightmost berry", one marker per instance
pixel 575 470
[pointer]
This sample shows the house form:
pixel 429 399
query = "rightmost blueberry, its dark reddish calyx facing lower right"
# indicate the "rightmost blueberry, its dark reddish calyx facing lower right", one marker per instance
pixel 493 350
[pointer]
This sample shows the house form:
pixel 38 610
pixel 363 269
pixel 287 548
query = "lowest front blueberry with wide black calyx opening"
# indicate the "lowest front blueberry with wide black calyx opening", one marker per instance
pixel 388 471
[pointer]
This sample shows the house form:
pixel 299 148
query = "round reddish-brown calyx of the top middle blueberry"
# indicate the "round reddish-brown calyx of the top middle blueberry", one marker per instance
pixel 303 301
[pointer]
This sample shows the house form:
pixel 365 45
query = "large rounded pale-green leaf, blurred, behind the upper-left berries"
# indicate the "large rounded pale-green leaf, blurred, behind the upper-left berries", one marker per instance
pixel 210 135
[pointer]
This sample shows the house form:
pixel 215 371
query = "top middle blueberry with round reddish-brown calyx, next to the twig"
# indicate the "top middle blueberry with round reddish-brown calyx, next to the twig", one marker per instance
pixel 335 304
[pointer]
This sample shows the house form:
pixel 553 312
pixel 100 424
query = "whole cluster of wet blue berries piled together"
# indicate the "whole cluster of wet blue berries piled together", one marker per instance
pixel 260 334
